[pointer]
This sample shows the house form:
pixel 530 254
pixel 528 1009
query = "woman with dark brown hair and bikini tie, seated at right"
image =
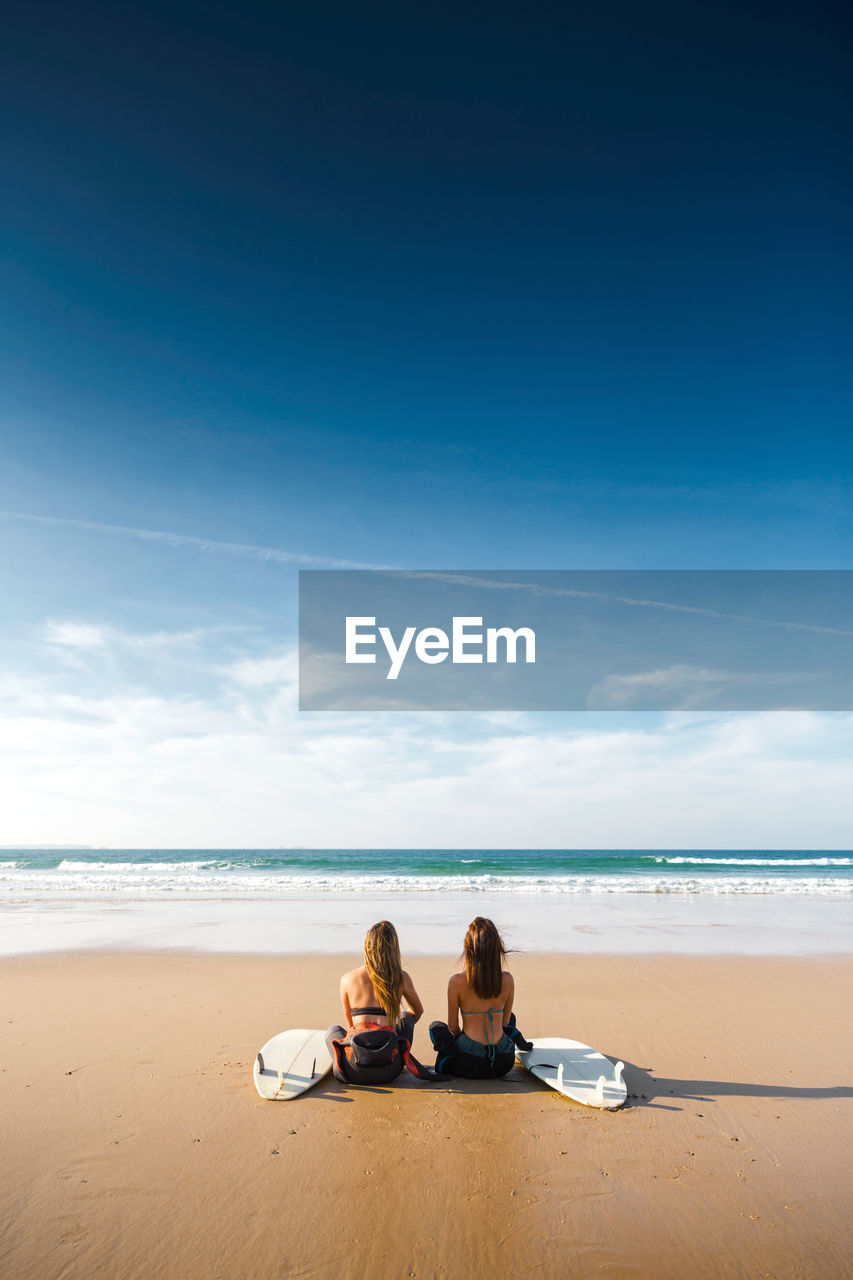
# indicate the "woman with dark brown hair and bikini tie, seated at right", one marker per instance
pixel 482 999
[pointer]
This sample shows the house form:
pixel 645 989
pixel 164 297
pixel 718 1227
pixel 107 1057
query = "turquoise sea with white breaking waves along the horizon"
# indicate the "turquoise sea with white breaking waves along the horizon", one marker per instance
pixel 147 874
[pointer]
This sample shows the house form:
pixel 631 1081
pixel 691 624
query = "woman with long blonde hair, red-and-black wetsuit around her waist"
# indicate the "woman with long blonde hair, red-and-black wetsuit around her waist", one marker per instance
pixel 376 1044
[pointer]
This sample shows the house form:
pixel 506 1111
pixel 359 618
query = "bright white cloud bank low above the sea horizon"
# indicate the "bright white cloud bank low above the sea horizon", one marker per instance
pixel 235 765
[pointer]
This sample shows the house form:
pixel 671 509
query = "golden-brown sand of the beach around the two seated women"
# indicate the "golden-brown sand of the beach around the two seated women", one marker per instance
pixel 135 1145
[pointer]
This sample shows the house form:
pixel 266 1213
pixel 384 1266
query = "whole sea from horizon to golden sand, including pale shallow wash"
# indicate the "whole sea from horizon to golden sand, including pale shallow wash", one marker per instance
pixel 321 900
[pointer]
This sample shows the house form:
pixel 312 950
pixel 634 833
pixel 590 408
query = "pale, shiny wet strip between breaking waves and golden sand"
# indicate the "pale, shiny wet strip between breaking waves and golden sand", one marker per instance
pixel 606 924
